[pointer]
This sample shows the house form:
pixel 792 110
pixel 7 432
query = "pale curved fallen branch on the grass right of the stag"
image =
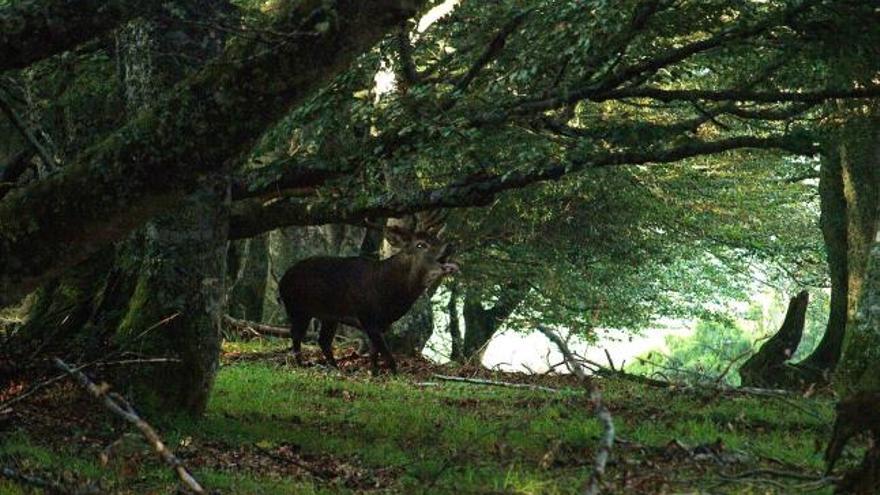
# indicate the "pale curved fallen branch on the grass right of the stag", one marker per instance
pixel 593 486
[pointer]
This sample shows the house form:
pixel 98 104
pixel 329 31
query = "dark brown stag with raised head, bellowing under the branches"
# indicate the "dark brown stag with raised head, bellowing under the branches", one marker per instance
pixel 366 293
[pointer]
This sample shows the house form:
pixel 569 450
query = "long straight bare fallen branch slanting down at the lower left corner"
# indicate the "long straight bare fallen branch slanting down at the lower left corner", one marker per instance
pixel 122 408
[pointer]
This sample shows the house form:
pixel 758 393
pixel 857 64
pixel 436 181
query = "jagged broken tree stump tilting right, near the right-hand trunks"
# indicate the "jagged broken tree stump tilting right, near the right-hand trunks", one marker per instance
pixel 767 368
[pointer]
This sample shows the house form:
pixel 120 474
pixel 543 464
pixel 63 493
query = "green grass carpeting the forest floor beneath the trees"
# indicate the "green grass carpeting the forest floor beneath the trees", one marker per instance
pixel 453 438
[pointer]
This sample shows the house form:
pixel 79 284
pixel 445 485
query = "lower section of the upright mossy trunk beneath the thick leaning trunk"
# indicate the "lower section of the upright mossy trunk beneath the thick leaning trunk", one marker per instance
pixel 178 303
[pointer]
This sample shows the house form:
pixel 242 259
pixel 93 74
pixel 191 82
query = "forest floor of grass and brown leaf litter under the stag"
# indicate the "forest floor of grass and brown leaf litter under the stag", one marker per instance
pixel 274 428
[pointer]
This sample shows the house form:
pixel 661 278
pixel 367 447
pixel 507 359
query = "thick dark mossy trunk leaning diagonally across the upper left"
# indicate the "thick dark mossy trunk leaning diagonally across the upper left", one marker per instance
pixel 153 162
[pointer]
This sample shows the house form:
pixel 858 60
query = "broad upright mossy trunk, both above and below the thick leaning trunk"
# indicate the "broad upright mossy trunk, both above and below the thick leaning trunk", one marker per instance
pixel 162 294
